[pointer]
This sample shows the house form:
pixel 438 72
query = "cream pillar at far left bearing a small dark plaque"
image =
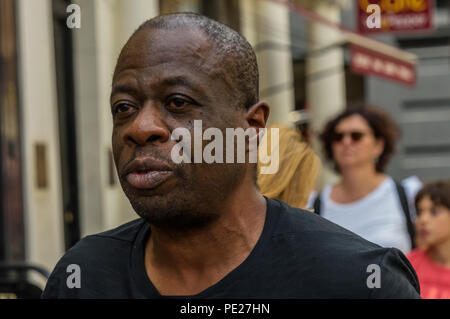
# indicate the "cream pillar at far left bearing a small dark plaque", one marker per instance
pixel 43 207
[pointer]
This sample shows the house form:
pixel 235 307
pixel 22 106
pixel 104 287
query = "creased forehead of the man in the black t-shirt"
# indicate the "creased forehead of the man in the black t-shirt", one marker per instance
pixel 156 54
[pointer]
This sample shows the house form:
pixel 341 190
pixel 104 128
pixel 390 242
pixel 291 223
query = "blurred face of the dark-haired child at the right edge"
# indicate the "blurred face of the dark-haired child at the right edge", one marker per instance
pixel 432 223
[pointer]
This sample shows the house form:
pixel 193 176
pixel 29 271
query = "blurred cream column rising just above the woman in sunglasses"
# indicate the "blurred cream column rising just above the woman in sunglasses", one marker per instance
pixel 325 93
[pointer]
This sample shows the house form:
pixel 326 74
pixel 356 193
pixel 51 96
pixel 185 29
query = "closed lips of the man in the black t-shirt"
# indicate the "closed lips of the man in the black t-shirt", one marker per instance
pixel 147 172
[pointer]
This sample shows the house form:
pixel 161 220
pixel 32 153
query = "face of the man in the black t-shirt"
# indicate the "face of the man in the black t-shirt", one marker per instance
pixel 166 79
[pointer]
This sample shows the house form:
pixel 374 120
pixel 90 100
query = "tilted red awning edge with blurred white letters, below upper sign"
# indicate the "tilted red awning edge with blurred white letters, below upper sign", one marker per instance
pixel 365 61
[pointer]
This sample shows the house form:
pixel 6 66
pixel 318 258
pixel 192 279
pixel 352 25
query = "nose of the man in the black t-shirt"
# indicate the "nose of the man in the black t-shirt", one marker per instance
pixel 147 127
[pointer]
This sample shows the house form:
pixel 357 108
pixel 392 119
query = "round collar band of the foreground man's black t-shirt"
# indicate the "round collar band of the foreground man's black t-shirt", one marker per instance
pixel 145 285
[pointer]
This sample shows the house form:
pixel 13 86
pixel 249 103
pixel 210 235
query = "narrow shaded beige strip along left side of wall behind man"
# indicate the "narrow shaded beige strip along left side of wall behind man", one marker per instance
pixel 87 121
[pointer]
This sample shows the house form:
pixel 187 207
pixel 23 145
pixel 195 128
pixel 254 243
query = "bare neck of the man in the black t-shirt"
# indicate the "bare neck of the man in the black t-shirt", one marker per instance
pixel 196 259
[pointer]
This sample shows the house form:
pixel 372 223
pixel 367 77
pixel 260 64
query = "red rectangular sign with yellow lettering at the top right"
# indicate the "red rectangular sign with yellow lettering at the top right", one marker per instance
pixel 395 15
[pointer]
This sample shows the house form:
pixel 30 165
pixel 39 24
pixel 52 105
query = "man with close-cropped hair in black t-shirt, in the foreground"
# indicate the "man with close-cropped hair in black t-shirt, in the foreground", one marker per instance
pixel 205 230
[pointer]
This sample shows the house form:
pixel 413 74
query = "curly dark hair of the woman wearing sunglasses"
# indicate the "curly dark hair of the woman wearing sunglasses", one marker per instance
pixel 382 125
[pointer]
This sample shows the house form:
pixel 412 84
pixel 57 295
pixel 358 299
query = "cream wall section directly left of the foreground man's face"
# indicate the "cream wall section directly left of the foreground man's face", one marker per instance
pixel 106 25
